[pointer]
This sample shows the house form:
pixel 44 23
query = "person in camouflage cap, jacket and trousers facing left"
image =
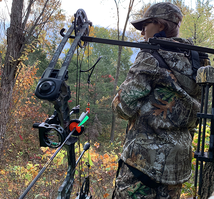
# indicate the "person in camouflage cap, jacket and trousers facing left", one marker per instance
pixel 160 100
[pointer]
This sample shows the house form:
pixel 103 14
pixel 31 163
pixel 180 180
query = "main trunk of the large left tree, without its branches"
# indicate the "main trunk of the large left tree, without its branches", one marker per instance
pixel 14 44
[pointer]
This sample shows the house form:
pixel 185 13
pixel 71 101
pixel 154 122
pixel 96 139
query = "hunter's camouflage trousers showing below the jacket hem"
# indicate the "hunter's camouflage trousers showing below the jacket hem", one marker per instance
pixel 128 187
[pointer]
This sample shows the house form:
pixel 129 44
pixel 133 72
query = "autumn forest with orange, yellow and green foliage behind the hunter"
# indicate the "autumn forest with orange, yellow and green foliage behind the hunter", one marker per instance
pixel 22 157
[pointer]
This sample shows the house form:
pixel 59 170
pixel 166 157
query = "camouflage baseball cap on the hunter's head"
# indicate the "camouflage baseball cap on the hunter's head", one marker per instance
pixel 163 10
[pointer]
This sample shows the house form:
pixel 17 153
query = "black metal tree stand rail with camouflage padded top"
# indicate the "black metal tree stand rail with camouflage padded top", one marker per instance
pixel 205 78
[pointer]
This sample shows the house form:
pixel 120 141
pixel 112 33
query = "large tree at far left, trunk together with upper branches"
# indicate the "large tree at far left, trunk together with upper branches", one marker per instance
pixel 16 43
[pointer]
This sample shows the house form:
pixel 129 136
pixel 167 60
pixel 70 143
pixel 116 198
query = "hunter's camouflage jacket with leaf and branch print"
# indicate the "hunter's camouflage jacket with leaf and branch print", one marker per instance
pixel 161 106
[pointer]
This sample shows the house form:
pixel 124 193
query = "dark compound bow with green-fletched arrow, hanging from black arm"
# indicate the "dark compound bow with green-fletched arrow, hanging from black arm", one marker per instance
pixel 58 130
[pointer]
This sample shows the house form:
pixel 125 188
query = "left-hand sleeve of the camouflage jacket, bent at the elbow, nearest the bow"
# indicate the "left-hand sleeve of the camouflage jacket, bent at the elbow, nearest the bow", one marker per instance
pixel 137 85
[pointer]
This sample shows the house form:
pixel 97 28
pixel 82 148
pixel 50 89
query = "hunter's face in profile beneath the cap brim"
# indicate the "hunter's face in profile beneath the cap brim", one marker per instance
pixel 149 29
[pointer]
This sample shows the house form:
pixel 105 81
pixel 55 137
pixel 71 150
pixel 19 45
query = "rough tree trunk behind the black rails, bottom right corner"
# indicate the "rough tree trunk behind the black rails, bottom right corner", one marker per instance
pixel 208 180
